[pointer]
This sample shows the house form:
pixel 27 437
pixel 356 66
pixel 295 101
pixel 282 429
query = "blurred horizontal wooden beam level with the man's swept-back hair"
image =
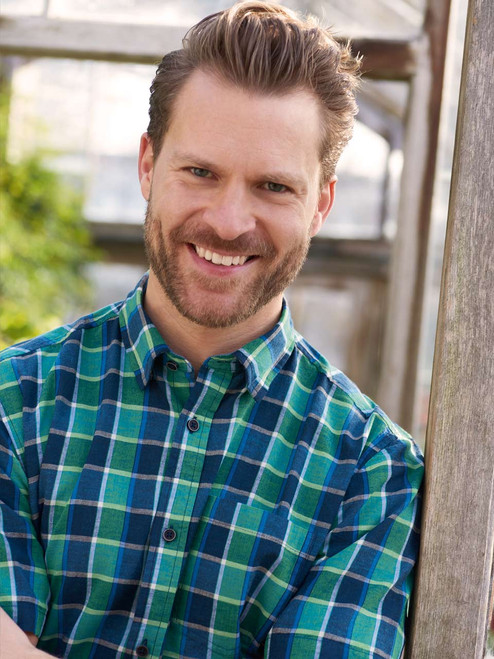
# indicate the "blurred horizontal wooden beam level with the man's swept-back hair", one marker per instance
pixel 146 44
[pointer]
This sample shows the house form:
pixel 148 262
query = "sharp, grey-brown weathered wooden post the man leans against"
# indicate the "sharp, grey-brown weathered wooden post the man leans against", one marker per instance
pixel 451 608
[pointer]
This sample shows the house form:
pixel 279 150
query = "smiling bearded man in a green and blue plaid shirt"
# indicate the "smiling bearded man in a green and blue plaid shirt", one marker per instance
pixel 183 475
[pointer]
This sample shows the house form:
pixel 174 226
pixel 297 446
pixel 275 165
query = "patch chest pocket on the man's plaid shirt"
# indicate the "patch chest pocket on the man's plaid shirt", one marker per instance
pixel 244 565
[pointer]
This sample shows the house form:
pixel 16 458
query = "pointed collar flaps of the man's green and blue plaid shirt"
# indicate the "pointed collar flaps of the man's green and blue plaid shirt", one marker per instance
pixel 261 358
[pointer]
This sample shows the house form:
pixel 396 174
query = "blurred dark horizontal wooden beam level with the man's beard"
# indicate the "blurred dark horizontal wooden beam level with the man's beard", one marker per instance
pixel 123 243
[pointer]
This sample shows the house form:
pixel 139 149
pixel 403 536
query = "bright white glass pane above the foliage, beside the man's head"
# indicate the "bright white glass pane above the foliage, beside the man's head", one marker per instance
pixel 88 116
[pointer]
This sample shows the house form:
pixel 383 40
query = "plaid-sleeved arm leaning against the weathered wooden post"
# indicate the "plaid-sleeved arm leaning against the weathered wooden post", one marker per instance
pixel 353 603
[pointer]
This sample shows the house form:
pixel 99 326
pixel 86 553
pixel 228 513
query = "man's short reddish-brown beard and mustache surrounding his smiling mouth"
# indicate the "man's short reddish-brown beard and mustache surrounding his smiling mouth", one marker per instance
pixel 226 301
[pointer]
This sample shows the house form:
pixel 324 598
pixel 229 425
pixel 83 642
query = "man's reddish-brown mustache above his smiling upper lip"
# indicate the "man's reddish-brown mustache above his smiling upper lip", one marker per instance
pixel 244 245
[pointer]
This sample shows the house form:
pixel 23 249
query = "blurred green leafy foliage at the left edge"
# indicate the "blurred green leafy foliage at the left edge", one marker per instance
pixel 44 245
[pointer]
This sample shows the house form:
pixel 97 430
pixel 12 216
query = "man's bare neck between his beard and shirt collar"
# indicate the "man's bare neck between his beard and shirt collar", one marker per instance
pixel 197 343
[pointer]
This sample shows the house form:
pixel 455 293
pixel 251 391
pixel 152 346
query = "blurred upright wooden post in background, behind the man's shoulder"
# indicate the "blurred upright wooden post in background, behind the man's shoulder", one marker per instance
pixel 405 300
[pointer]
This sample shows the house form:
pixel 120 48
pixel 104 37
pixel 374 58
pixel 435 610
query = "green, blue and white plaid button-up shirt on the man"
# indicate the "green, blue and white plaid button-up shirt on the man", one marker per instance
pixel 265 508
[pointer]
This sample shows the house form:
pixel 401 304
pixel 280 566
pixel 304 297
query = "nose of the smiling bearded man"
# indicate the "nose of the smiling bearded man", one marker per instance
pixel 230 212
